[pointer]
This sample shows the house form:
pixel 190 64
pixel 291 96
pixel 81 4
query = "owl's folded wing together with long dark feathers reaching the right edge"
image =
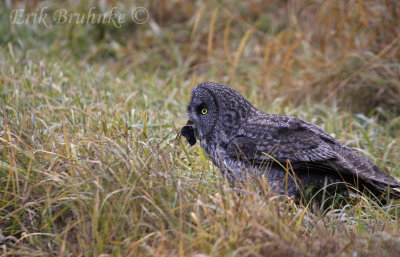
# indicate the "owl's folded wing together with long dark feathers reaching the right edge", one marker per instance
pixel 306 146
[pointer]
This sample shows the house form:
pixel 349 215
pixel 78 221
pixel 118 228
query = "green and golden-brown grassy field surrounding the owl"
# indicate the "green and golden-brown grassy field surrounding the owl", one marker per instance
pixel 90 164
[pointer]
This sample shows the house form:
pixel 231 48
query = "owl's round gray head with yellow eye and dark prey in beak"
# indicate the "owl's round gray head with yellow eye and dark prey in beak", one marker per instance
pixel 213 108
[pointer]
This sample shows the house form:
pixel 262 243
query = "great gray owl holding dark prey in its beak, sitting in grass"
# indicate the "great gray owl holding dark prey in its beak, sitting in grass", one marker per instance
pixel 291 153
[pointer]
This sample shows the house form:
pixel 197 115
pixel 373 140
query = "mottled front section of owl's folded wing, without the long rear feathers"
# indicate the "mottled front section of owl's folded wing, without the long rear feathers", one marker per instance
pixel 297 144
